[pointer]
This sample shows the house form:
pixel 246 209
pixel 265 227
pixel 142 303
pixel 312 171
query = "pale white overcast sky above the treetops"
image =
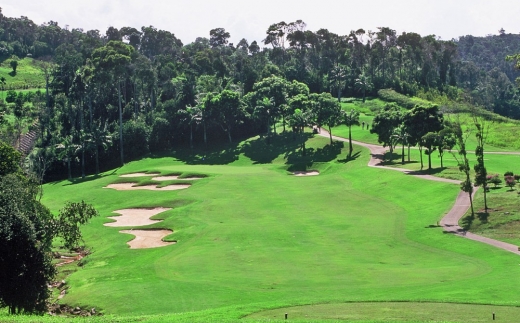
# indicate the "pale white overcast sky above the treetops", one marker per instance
pixel 189 19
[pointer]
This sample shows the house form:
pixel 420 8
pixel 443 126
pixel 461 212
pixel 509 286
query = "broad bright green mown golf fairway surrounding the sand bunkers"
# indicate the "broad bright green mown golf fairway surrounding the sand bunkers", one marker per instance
pixel 251 237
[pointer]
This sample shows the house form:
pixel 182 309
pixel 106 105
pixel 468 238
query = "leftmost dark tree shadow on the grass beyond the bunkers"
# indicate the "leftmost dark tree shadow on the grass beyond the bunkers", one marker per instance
pixel 219 154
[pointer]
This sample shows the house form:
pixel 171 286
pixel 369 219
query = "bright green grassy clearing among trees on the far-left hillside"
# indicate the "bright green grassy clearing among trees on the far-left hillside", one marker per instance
pixel 27 75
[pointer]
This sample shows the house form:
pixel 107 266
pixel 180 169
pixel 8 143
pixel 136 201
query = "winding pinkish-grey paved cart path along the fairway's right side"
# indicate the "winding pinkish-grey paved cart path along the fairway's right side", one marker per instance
pixel 450 222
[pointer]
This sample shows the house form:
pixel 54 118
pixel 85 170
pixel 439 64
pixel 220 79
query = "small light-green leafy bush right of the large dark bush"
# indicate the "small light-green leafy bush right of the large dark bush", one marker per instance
pixel 71 216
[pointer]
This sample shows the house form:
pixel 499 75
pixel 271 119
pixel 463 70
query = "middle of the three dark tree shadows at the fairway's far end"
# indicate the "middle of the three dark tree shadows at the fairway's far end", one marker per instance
pixel 264 150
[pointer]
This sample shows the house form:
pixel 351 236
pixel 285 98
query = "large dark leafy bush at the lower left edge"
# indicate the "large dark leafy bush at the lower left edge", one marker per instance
pixel 26 232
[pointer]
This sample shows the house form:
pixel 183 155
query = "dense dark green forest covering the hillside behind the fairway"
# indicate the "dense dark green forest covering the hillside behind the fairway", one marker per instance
pixel 145 86
